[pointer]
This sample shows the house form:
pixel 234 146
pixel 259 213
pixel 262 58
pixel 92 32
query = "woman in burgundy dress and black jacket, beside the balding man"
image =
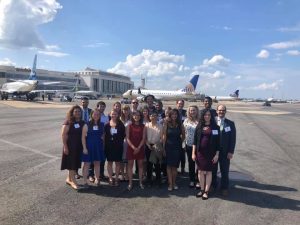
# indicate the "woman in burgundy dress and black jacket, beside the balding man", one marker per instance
pixel 206 151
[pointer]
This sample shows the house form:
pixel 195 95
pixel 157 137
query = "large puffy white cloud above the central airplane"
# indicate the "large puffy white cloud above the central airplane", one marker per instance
pixel 150 63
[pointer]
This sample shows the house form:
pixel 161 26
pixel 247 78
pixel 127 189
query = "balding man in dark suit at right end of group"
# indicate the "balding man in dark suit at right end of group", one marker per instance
pixel 227 146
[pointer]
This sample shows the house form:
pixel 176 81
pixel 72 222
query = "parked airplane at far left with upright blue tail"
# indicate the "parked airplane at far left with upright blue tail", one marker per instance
pixel 23 87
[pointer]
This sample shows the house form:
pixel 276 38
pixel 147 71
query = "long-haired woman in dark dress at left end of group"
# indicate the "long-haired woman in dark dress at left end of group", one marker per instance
pixel 72 146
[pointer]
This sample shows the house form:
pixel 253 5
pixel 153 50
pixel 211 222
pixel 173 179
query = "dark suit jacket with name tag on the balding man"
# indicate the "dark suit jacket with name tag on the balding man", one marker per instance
pixel 227 137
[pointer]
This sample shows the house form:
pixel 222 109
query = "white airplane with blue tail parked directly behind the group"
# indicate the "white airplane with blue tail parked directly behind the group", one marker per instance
pixel 187 92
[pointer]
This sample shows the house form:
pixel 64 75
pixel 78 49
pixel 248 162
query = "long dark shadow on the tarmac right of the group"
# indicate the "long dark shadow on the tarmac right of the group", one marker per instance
pixel 258 194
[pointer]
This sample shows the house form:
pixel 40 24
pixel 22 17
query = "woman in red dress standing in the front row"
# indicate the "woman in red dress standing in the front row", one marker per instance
pixel 136 136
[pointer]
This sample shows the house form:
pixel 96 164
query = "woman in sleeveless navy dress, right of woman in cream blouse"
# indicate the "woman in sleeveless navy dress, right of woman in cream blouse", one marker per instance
pixel 173 136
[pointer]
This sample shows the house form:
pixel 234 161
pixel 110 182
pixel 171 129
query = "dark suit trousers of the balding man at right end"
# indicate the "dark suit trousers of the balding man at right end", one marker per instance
pixel 224 165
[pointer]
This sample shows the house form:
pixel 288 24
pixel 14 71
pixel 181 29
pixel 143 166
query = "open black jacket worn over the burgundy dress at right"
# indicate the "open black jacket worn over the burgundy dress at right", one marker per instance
pixel 214 141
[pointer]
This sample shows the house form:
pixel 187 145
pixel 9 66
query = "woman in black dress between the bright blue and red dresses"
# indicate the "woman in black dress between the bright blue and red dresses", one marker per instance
pixel 114 134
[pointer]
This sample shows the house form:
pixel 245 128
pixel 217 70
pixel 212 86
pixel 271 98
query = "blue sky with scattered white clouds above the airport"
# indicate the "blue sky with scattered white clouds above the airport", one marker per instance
pixel 253 46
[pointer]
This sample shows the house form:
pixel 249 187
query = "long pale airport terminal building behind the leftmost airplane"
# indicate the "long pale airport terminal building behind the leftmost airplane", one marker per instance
pixel 102 83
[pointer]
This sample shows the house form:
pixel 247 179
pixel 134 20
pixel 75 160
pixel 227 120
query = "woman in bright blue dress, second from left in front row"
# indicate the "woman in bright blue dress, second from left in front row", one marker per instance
pixel 92 141
